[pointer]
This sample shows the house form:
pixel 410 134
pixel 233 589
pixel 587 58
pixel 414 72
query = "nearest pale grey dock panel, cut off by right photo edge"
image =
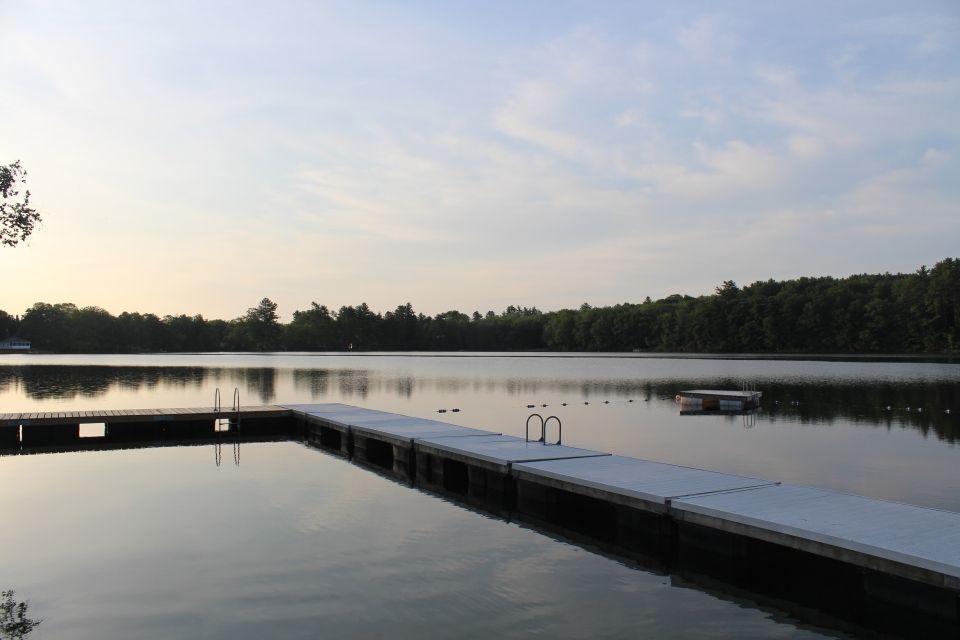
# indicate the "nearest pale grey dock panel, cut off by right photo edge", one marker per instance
pixel 917 536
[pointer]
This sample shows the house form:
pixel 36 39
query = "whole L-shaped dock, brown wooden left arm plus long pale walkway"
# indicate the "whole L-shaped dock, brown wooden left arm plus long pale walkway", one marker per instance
pixel 872 560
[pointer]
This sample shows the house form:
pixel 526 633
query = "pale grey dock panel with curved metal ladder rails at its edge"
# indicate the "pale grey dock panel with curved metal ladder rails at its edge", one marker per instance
pixel 503 451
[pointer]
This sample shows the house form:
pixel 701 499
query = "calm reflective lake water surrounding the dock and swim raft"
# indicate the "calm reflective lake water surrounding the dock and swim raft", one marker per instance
pixel 292 542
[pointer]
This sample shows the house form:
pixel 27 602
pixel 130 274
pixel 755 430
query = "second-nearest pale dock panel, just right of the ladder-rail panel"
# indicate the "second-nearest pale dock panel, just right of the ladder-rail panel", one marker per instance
pixel 644 479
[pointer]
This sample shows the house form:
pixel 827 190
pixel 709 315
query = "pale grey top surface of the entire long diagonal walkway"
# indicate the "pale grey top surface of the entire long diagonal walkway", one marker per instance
pixel 808 518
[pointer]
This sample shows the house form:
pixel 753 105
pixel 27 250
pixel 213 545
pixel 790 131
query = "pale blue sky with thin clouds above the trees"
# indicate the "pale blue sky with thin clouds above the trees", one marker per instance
pixel 197 156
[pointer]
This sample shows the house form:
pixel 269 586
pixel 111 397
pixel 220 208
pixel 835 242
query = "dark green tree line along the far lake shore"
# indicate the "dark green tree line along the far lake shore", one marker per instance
pixel 886 313
